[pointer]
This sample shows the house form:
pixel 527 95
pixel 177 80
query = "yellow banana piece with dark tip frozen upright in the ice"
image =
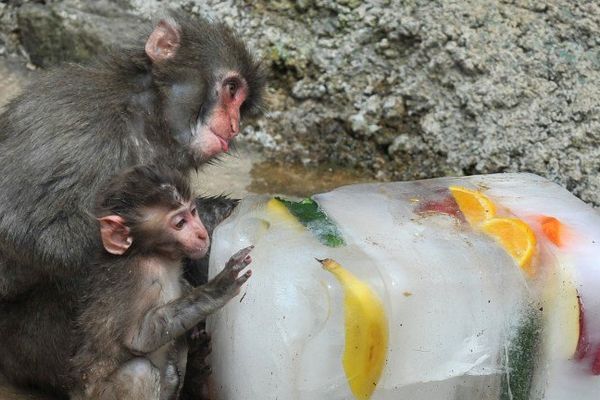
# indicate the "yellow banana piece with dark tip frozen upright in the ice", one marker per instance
pixel 366 326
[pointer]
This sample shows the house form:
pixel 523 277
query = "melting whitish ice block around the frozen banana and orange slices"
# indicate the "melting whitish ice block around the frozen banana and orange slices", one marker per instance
pixel 464 321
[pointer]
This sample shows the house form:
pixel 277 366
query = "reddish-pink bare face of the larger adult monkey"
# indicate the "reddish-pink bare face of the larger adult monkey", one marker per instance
pixel 223 124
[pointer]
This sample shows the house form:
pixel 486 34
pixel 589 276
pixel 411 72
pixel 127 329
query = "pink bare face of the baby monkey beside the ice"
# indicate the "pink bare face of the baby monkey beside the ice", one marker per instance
pixel 189 231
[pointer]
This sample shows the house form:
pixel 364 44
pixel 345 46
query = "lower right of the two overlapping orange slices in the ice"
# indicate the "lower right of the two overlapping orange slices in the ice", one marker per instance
pixel 516 237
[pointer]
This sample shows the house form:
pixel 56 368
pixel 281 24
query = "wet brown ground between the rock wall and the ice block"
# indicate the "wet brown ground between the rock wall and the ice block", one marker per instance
pixel 238 174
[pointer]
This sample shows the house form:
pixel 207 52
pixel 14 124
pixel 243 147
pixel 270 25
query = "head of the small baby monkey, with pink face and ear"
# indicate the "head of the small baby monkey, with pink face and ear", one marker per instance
pixel 149 210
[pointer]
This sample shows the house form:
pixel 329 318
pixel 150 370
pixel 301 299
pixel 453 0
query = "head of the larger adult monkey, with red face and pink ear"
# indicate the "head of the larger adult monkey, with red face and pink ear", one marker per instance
pixel 208 81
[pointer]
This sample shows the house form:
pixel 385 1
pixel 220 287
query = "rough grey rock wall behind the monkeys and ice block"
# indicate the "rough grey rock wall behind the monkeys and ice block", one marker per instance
pixel 395 89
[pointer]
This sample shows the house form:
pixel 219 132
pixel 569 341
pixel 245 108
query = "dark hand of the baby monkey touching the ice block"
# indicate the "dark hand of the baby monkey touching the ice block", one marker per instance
pixel 228 281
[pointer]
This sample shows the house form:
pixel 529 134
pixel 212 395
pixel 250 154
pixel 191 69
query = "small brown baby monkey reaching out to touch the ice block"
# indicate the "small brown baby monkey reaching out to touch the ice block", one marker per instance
pixel 137 307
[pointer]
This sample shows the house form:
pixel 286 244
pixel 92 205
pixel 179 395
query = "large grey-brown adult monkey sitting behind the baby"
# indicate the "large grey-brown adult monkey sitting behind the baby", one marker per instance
pixel 176 98
